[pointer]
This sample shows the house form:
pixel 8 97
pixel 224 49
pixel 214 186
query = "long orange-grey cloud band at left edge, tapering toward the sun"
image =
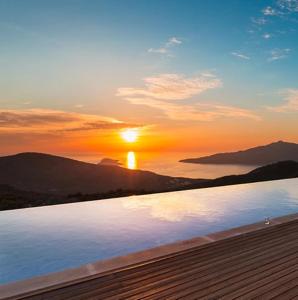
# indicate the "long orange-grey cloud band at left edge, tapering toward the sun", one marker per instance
pixel 51 121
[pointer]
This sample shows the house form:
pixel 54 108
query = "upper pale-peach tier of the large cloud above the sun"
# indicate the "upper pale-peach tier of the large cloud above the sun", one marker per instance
pixel 171 87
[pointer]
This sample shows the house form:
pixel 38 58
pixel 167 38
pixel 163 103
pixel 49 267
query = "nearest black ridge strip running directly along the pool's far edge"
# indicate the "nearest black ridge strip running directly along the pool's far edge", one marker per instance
pixel 11 198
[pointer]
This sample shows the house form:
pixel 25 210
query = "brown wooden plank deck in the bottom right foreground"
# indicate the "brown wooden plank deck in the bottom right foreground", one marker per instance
pixel 261 263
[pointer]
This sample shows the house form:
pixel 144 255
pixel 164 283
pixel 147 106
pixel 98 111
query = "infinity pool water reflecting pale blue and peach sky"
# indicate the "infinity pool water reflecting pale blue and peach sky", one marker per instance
pixel 37 241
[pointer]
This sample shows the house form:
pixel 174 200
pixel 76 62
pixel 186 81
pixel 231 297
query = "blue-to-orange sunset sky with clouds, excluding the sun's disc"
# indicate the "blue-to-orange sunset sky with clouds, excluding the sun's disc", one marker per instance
pixel 192 75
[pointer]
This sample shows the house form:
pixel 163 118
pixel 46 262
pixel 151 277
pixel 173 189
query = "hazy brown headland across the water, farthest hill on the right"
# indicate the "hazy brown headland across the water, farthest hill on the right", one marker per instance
pixel 261 155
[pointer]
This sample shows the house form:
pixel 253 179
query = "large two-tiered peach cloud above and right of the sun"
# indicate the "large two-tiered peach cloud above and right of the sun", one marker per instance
pixel 162 92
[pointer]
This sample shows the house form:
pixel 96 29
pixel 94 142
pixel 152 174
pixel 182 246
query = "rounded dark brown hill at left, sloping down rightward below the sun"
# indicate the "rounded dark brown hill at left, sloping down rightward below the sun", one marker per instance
pixel 51 174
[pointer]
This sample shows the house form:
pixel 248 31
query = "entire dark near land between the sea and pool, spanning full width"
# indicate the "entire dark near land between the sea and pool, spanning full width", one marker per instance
pixel 33 179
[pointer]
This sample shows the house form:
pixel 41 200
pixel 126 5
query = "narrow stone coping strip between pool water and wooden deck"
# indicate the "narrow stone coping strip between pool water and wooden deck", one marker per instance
pixel 35 285
